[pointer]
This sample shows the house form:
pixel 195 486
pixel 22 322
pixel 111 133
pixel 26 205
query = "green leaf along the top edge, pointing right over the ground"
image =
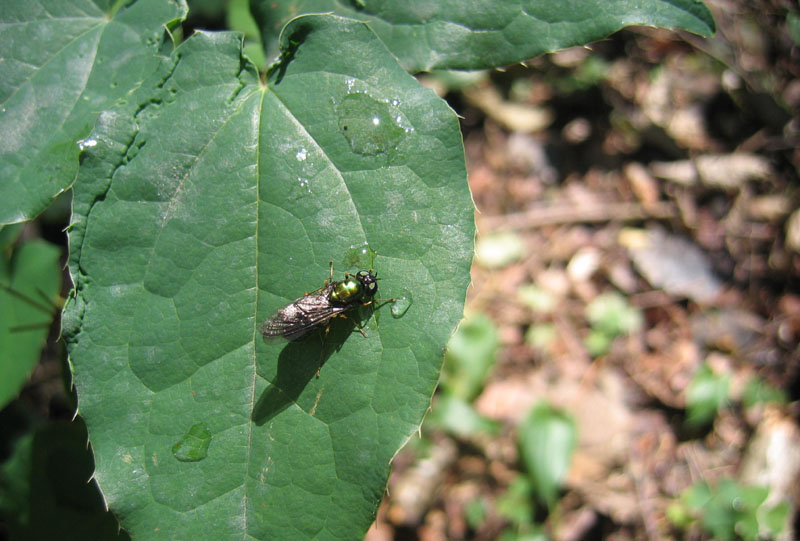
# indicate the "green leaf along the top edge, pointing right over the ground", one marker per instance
pixel 457 34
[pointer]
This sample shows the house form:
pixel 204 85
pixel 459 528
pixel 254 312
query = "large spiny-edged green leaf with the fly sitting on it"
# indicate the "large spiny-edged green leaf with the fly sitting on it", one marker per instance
pixel 209 201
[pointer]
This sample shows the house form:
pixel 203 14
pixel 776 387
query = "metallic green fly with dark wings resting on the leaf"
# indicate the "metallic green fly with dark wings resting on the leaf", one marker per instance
pixel 315 310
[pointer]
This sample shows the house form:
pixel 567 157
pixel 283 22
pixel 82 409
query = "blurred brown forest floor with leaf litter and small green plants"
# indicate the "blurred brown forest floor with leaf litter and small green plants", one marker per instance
pixel 638 256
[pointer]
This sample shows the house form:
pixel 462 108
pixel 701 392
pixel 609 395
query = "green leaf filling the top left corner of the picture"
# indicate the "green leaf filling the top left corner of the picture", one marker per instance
pixel 61 63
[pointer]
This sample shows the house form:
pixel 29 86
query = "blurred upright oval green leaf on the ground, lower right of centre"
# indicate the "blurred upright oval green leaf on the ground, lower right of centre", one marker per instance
pixel 547 439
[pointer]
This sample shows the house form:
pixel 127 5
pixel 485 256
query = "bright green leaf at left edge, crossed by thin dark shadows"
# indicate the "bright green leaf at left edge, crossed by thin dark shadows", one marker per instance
pixel 30 280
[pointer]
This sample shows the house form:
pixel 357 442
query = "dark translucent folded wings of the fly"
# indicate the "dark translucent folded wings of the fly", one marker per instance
pixel 297 319
